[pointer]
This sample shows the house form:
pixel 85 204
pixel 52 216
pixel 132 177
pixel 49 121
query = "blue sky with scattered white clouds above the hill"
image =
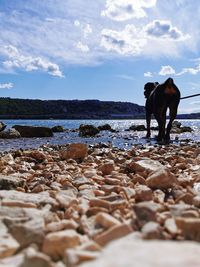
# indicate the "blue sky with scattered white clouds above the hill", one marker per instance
pixel 102 49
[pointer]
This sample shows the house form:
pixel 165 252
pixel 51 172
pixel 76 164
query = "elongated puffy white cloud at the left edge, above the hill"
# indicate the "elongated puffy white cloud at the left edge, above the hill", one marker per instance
pixel 15 59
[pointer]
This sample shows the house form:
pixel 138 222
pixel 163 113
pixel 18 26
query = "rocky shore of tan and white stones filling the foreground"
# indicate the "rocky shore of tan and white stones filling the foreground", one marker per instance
pixel 77 205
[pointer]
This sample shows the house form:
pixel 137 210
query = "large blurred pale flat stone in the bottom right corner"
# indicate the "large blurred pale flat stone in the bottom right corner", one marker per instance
pixel 130 252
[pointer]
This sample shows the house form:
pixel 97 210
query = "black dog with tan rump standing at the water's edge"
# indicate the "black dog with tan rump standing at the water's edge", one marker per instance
pixel 160 97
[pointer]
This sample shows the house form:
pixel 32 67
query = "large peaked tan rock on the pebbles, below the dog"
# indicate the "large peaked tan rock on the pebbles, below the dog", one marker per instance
pixel 161 179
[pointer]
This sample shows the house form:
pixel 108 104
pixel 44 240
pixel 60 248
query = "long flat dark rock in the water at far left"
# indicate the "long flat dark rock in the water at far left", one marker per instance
pixel 33 131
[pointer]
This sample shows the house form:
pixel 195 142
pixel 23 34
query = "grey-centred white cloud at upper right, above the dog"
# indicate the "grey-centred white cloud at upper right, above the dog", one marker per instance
pixel 164 29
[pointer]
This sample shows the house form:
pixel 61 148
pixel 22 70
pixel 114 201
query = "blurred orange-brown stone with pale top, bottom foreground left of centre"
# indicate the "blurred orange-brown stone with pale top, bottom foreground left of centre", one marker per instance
pixel 56 243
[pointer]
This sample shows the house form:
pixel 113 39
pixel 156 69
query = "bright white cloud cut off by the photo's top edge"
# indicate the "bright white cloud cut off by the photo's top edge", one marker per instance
pixel 121 10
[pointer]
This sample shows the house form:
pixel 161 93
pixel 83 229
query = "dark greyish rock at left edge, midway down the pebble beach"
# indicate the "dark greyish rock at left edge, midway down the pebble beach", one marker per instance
pixel 10 182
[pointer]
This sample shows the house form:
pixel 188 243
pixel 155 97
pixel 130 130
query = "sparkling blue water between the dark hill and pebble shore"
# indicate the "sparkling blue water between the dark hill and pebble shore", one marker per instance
pixel 121 139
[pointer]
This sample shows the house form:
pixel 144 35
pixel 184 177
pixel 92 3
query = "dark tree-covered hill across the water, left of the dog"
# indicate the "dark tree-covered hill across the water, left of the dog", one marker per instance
pixel 13 108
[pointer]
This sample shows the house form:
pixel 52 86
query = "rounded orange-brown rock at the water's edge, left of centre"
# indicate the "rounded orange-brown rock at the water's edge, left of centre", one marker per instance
pixel 75 151
